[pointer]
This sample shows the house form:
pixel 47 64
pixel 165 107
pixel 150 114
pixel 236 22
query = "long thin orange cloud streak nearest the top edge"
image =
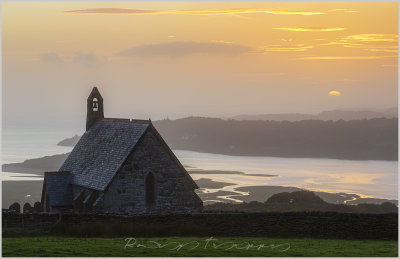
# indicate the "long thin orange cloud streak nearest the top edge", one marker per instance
pixel 125 11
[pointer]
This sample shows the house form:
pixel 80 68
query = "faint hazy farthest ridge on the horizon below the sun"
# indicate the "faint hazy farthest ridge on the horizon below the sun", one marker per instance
pixel 325 115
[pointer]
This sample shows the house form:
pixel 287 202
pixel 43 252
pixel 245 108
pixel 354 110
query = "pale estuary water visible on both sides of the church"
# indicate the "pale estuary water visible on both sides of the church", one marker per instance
pixel 367 178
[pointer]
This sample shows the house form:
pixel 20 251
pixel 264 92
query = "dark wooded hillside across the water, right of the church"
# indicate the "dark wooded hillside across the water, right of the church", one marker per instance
pixel 374 139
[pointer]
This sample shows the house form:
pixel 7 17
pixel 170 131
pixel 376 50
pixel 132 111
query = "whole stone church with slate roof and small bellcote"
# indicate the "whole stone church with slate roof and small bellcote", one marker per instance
pixel 120 166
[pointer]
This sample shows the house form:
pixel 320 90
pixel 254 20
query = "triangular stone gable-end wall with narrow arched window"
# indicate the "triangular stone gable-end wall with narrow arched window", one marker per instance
pixel 172 191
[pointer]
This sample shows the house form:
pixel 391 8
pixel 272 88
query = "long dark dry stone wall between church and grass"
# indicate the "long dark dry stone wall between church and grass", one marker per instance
pixel 271 224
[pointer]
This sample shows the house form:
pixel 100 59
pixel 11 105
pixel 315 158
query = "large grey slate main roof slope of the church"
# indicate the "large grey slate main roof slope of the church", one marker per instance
pixel 102 150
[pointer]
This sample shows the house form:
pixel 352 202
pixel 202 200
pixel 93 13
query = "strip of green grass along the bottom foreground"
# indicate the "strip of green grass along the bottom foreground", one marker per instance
pixel 274 247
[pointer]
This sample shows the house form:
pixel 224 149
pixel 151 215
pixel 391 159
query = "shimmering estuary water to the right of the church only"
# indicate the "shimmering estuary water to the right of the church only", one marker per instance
pixel 367 178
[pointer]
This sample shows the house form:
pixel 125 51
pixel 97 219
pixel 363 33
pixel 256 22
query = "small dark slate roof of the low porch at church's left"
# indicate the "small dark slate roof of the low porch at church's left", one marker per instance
pixel 58 188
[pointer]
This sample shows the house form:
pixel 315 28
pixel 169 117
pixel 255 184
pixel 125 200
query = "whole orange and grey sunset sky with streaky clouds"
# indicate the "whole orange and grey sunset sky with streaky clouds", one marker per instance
pixel 180 59
